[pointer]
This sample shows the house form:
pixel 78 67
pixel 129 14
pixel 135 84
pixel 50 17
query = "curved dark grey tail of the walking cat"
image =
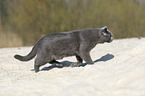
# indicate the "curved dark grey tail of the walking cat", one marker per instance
pixel 28 57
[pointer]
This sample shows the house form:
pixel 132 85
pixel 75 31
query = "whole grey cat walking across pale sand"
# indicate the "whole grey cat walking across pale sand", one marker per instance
pixel 77 43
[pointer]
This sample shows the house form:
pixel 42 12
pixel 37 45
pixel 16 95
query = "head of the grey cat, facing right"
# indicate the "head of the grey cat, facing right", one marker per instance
pixel 106 35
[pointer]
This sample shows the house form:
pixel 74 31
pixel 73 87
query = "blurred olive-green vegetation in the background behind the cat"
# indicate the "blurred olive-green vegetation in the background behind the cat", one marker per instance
pixel 30 19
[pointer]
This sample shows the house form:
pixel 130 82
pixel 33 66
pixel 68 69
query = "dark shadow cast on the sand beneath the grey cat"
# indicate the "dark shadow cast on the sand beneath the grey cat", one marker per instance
pixel 69 64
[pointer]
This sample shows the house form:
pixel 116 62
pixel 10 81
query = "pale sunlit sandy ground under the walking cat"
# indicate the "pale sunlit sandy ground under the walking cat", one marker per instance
pixel 119 70
